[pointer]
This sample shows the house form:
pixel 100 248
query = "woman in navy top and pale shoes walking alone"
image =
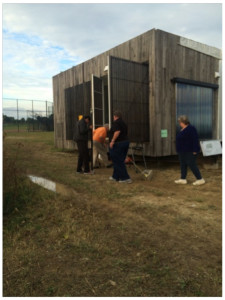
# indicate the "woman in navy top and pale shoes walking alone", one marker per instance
pixel 187 144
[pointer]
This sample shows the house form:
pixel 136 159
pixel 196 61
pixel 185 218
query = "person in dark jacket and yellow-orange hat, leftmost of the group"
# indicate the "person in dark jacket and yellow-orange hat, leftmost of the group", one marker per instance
pixel 82 128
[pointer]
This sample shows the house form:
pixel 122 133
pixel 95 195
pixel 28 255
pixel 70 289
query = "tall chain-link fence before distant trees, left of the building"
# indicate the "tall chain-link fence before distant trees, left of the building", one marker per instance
pixel 27 115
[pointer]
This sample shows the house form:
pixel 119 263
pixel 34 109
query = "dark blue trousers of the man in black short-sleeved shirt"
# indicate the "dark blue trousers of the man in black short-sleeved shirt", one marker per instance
pixel 118 155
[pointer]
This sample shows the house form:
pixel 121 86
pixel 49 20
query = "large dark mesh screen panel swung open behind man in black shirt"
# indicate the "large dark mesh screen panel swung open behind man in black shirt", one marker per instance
pixel 129 93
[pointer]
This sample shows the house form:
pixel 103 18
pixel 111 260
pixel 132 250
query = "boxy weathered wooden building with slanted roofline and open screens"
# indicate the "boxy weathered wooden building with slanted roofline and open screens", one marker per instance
pixel 151 79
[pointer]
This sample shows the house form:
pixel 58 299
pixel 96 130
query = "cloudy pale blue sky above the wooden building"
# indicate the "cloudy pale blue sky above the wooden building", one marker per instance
pixel 41 40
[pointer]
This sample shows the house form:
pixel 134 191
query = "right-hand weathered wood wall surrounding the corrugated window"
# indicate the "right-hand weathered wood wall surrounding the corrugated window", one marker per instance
pixel 173 60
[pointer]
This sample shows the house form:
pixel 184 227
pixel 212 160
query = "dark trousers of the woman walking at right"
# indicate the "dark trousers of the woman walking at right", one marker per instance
pixel 188 159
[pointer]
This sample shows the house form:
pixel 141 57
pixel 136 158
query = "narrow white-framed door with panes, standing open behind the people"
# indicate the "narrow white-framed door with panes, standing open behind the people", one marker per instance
pixel 97 103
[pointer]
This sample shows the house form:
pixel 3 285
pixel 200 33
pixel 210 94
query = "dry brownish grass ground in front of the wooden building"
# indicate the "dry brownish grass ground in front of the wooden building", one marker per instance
pixel 106 239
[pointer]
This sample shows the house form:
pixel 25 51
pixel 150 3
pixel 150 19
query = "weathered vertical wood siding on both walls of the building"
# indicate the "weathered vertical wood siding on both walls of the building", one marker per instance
pixel 167 59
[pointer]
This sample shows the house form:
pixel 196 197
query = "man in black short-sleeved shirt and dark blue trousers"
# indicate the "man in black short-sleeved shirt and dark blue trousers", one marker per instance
pixel 119 145
